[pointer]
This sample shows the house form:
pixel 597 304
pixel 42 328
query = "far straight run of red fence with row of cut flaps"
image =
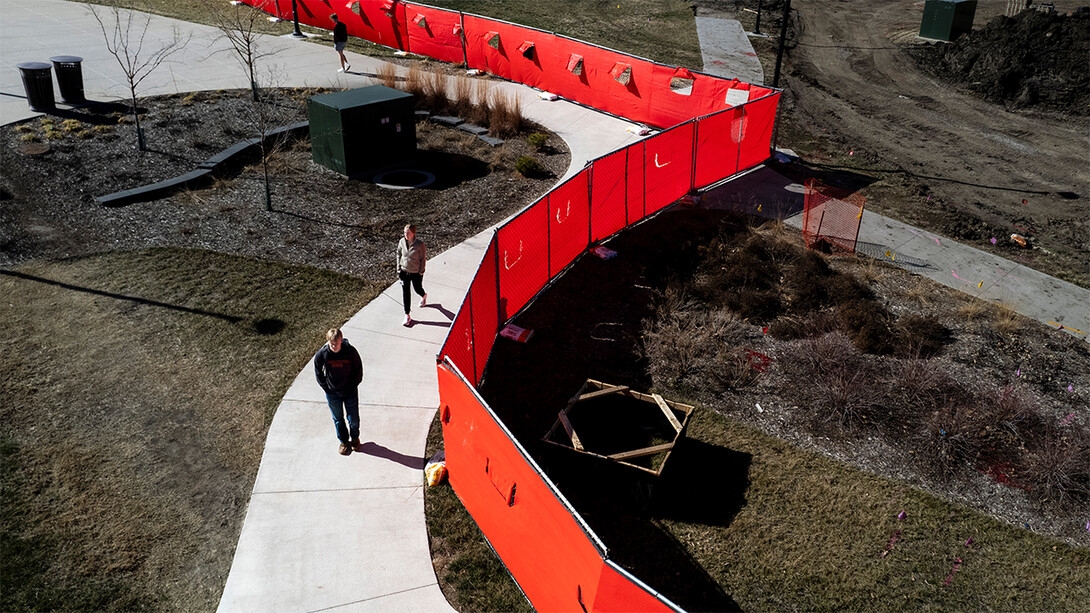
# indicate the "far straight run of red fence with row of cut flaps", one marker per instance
pixel 611 81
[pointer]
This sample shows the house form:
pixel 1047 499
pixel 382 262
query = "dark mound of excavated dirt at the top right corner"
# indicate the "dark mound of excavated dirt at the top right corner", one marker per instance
pixel 1032 61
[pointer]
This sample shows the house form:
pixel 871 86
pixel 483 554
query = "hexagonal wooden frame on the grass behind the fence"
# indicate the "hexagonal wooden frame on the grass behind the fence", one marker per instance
pixel 676 414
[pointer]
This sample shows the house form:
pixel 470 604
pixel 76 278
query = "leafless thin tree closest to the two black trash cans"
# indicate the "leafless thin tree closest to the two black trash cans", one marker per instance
pixel 126 33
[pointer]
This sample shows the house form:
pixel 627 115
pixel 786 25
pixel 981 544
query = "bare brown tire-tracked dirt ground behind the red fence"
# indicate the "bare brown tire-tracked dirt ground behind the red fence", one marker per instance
pixel 923 150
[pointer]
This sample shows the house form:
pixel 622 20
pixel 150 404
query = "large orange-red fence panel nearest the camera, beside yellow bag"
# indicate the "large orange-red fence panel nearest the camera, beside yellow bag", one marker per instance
pixel 541 543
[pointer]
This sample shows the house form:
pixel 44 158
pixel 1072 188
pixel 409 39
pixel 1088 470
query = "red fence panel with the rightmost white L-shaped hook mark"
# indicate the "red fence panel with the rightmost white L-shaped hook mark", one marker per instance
pixel 669 166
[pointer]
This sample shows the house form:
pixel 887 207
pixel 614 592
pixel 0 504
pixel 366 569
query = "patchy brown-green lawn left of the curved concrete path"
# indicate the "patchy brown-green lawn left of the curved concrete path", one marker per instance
pixel 138 392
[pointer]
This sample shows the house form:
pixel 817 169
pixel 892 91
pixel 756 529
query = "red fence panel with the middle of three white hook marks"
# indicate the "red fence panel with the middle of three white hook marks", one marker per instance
pixel 568 222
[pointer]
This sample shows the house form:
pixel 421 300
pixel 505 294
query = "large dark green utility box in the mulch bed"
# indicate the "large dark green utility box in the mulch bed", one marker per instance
pixel 360 130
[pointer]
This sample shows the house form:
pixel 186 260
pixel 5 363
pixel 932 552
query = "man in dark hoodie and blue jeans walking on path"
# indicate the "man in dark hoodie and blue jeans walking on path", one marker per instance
pixel 340 371
